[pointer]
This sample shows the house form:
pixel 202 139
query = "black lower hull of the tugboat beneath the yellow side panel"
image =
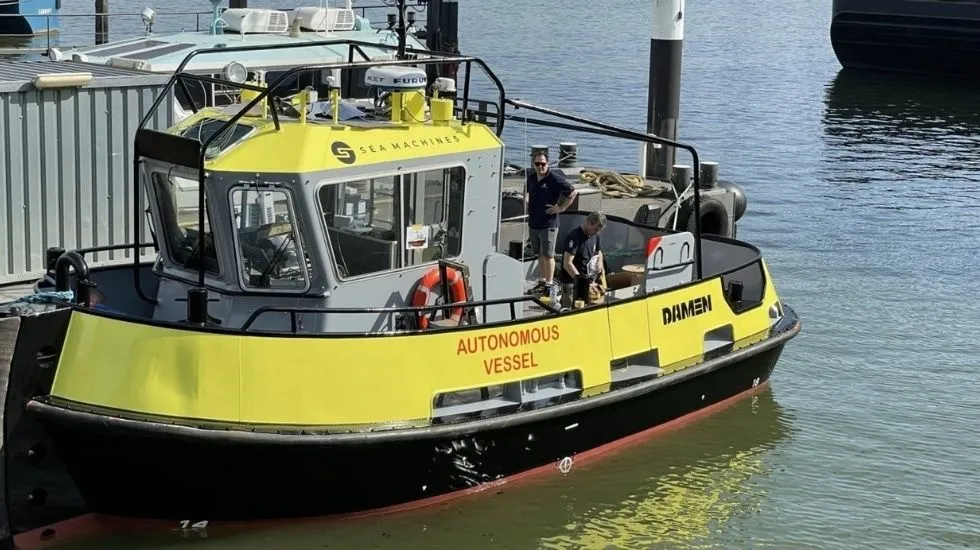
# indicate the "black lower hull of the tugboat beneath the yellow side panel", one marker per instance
pixel 138 469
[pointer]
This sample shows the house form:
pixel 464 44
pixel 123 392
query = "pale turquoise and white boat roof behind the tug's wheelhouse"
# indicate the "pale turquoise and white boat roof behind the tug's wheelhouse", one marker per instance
pixel 265 35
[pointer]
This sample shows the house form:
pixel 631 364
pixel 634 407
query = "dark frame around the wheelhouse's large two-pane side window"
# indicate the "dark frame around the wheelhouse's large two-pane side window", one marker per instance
pixel 399 173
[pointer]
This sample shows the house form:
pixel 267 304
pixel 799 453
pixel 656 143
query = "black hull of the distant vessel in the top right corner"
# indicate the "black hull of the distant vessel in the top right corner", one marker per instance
pixel 937 37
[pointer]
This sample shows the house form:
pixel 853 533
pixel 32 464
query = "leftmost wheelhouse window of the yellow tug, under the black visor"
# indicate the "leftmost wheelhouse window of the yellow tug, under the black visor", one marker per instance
pixel 177 198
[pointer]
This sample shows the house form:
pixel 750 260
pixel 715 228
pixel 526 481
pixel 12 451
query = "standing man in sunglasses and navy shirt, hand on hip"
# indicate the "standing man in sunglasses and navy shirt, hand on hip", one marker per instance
pixel 547 193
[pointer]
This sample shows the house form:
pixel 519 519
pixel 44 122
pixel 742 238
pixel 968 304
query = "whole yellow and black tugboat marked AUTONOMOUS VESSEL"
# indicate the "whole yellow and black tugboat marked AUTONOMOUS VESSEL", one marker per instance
pixel 283 356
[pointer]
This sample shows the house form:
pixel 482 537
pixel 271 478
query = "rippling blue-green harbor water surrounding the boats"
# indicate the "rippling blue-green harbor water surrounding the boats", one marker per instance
pixel 862 194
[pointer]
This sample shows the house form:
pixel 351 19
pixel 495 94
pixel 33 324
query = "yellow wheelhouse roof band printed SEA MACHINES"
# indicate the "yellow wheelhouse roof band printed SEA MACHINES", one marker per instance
pixel 318 146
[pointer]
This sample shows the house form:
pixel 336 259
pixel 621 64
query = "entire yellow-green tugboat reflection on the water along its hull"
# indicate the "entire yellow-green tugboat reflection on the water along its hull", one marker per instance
pixel 680 488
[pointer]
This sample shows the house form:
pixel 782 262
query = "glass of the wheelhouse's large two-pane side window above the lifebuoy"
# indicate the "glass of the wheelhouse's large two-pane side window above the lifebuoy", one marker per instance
pixel 386 223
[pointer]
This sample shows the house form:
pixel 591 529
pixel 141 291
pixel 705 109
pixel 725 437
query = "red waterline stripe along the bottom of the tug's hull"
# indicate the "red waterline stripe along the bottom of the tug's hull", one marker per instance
pixel 72 530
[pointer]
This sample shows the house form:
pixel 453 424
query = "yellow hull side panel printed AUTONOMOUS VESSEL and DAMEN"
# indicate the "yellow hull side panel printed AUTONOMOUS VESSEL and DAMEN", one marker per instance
pixel 344 380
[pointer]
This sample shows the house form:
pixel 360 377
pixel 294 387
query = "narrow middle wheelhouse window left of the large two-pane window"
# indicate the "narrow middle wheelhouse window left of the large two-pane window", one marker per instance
pixel 270 254
